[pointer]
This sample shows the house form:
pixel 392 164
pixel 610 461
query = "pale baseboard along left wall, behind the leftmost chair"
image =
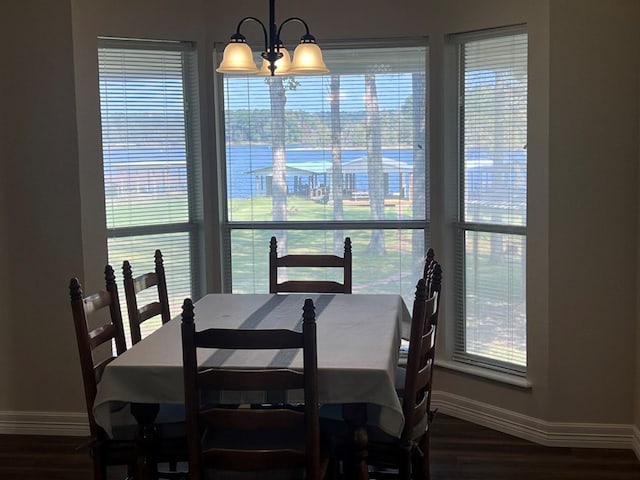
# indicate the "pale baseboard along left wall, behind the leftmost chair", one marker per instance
pixel 44 423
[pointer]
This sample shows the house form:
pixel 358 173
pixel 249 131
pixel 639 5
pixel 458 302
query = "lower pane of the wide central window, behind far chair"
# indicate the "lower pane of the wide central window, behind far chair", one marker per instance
pixel 395 270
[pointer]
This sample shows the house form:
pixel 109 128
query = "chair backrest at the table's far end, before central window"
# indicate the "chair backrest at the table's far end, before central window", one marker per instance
pixel 309 260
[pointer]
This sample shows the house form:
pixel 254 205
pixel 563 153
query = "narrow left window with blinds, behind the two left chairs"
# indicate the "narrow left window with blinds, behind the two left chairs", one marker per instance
pixel 150 152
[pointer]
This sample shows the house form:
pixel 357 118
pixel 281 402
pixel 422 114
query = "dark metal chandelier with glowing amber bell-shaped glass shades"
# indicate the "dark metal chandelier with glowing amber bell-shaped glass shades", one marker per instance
pixel 237 57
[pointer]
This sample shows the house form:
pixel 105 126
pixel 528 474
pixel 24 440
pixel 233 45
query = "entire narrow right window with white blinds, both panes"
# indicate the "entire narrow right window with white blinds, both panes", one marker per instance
pixel 492 216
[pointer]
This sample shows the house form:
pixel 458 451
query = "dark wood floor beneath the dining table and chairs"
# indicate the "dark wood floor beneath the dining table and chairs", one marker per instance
pixel 460 450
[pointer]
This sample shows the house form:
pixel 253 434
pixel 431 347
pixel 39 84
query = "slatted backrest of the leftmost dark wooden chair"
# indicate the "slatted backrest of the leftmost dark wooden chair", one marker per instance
pixel 89 340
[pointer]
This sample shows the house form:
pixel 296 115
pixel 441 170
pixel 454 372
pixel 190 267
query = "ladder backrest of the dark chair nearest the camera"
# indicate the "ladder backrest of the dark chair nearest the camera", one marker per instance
pixel 277 417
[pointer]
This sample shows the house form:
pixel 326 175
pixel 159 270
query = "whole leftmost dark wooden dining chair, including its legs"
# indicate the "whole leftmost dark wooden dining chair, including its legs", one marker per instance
pixel 121 450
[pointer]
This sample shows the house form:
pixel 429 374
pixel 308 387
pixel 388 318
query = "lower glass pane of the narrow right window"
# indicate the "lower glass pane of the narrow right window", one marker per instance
pixel 495 316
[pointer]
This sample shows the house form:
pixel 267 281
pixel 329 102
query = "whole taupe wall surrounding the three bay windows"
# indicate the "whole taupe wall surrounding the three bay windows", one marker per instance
pixel 583 153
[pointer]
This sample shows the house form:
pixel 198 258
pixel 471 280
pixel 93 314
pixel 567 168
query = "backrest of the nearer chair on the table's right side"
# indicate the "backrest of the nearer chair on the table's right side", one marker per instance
pixel 417 388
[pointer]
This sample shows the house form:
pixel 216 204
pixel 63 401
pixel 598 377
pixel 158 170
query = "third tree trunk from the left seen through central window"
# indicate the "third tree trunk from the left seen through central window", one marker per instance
pixel 374 161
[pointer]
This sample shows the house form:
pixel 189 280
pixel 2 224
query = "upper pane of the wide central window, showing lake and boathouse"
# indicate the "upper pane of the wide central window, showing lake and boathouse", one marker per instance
pixel 346 146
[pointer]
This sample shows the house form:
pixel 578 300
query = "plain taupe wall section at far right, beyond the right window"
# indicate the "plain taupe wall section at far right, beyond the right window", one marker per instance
pixel 593 191
